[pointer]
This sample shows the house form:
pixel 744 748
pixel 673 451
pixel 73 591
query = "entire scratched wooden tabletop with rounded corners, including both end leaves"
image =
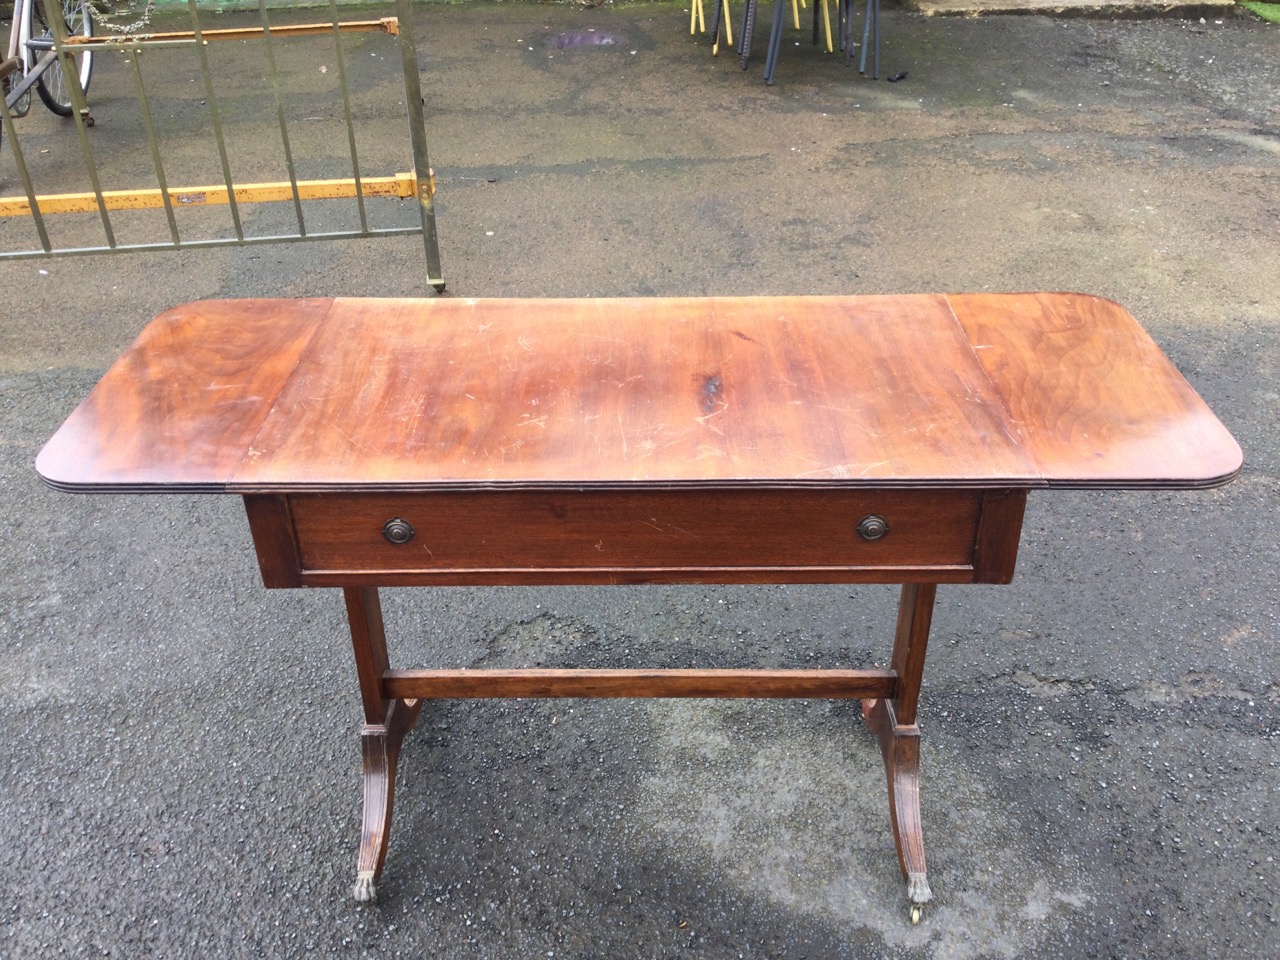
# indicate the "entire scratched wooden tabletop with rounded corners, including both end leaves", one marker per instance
pixel 970 391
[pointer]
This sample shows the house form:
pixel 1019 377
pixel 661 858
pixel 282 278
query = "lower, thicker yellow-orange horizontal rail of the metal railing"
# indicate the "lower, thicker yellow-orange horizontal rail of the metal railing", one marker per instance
pixel 403 185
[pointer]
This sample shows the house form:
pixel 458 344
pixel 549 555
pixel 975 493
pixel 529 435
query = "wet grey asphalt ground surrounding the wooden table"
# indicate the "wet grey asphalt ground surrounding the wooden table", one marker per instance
pixel 1100 767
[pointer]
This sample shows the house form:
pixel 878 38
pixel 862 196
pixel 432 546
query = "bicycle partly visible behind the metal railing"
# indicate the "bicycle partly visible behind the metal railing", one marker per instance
pixel 31 61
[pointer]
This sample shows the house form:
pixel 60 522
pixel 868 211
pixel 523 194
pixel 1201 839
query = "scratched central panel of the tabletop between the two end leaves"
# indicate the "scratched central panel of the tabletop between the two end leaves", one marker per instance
pixel 633 392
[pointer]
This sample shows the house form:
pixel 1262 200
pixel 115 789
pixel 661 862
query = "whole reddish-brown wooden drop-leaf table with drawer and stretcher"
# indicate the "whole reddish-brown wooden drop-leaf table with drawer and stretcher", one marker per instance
pixel 729 441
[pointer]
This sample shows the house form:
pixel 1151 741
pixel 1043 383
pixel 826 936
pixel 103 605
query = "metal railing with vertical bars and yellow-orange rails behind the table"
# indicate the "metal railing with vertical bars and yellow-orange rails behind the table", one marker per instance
pixel 226 193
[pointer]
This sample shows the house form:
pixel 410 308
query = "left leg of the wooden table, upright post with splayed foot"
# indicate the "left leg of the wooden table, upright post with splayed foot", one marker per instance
pixel 386 725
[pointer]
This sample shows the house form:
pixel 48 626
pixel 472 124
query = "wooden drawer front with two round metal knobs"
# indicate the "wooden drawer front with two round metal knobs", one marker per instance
pixel 633 537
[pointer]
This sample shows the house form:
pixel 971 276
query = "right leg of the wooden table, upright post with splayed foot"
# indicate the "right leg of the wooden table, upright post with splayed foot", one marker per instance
pixel 894 725
